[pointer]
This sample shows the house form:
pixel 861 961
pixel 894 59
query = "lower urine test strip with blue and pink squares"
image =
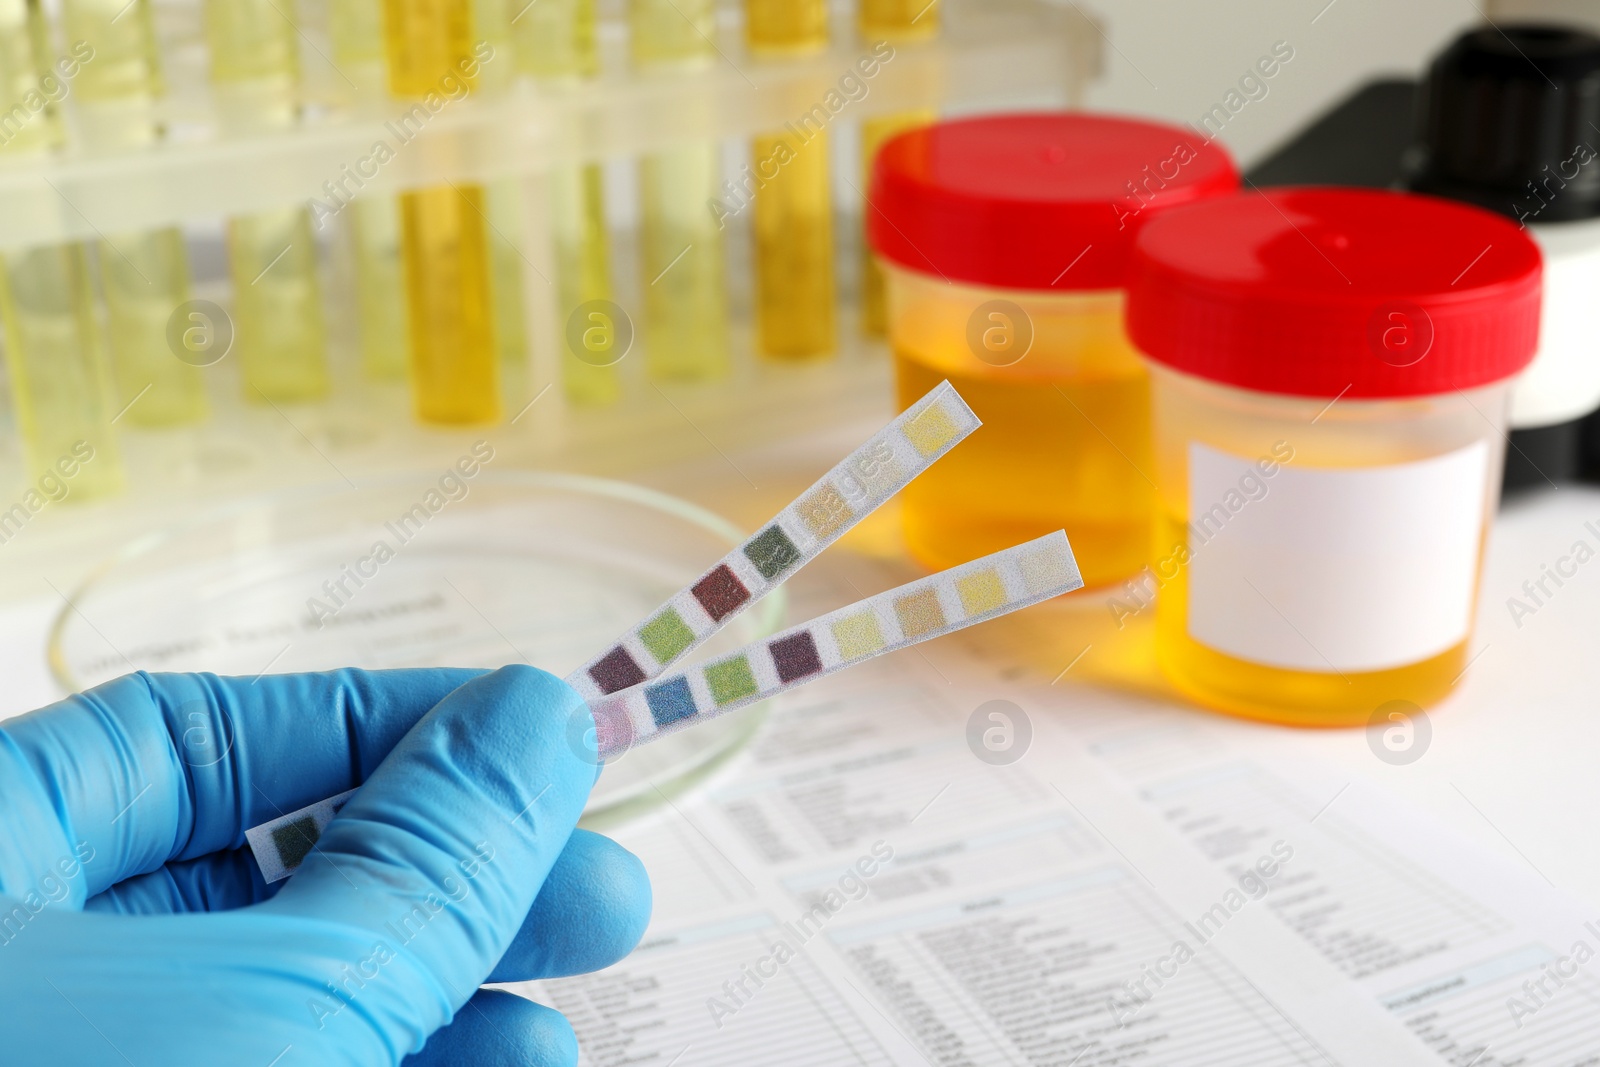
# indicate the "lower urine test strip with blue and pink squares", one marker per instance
pixel 919 612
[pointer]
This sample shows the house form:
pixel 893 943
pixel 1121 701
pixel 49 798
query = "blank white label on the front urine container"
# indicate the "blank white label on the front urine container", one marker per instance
pixel 1334 569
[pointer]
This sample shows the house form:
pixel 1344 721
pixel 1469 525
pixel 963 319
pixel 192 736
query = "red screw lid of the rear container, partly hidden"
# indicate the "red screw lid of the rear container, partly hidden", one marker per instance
pixel 1034 201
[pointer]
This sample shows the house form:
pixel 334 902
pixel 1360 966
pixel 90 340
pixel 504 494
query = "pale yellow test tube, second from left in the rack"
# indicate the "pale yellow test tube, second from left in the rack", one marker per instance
pixel 145 274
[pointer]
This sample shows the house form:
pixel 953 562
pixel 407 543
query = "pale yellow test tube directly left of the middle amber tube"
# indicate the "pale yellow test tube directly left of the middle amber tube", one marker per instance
pixel 681 242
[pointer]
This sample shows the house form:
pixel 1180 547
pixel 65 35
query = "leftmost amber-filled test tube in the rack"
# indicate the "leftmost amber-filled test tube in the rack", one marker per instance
pixel 455 366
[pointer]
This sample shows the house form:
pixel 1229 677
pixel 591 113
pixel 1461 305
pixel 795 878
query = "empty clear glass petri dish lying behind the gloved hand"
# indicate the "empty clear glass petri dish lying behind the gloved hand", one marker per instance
pixel 410 572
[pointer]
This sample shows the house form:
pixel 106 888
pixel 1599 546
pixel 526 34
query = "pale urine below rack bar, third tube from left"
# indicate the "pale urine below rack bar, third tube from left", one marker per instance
pixel 278 306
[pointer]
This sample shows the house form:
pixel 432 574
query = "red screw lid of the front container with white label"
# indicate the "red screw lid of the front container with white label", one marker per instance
pixel 1337 292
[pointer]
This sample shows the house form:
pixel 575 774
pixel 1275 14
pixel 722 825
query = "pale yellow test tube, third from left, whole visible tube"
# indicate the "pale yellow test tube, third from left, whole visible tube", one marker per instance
pixel 273 257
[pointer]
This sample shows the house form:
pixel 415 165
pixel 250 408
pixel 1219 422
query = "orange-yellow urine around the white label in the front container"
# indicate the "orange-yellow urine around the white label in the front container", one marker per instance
pixel 1281 695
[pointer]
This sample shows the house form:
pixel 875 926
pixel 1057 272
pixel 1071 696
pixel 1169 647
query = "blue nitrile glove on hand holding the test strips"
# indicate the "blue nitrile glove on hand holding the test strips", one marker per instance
pixel 137 932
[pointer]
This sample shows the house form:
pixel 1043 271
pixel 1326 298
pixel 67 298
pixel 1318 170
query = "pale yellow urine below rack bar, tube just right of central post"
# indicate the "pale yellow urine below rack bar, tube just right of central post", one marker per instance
pixel 583 273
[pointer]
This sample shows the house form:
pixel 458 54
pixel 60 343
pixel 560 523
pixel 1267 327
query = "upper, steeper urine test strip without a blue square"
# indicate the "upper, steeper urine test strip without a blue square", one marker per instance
pixel 817 519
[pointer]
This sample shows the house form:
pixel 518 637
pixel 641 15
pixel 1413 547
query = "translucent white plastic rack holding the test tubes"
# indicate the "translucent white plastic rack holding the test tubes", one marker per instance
pixel 991 55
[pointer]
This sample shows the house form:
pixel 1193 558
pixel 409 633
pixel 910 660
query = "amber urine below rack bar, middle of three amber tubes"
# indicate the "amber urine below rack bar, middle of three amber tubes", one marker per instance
pixel 794 247
